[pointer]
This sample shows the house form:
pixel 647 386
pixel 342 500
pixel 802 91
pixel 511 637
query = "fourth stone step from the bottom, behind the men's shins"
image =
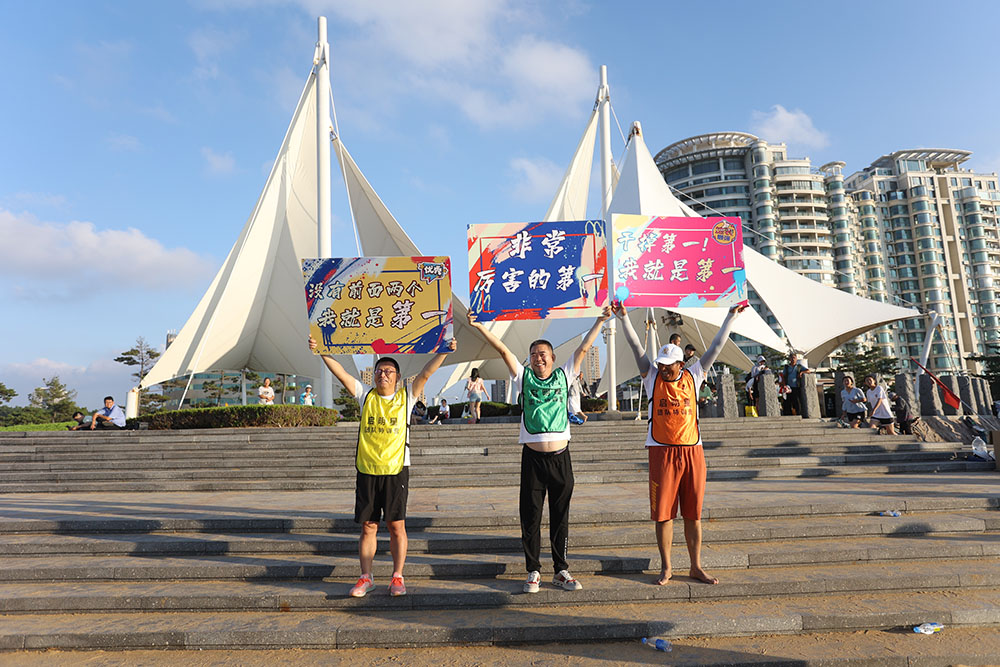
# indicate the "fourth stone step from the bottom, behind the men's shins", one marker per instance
pixel 443 540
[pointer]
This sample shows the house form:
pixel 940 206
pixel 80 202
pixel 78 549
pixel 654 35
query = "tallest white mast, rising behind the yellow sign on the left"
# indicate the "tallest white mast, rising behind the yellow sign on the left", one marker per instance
pixel 323 128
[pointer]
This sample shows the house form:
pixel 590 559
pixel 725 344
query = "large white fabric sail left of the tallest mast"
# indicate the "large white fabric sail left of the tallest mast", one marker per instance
pixel 253 314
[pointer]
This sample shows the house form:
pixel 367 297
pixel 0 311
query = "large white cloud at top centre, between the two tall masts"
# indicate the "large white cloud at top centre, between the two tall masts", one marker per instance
pixel 472 55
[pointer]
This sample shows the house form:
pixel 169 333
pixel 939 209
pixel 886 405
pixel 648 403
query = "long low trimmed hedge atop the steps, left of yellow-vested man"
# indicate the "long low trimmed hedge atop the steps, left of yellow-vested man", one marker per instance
pixel 273 416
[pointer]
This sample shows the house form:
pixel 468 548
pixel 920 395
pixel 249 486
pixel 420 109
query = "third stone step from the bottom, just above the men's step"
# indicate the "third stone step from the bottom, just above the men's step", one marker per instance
pixel 583 561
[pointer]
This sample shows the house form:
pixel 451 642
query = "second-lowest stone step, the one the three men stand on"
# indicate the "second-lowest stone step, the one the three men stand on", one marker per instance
pixel 496 592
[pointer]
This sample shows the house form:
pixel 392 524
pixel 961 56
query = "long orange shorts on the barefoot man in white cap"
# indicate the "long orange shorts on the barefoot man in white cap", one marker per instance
pixel 676 473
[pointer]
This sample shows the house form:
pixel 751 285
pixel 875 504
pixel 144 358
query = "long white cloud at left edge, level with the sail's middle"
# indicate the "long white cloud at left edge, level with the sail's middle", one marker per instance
pixel 75 259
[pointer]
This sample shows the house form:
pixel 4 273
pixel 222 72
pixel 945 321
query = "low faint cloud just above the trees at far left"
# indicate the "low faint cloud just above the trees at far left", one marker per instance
pixel 91 382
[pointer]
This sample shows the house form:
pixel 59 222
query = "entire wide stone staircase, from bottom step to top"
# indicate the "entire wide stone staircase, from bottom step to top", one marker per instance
pixel 243 539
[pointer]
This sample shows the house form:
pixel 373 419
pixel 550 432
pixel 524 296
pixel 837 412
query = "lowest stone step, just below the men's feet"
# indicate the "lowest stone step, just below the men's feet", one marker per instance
pixel 401 626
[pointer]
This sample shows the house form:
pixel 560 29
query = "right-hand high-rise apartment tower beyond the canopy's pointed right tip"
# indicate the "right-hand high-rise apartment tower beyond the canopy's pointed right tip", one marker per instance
pixel 939 245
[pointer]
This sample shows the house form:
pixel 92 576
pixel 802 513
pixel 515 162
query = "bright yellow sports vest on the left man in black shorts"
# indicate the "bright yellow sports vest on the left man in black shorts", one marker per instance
pixel 382 435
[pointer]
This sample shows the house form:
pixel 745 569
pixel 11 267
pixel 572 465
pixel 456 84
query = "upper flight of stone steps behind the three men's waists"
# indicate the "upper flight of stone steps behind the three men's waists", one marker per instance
pixel 442 456
